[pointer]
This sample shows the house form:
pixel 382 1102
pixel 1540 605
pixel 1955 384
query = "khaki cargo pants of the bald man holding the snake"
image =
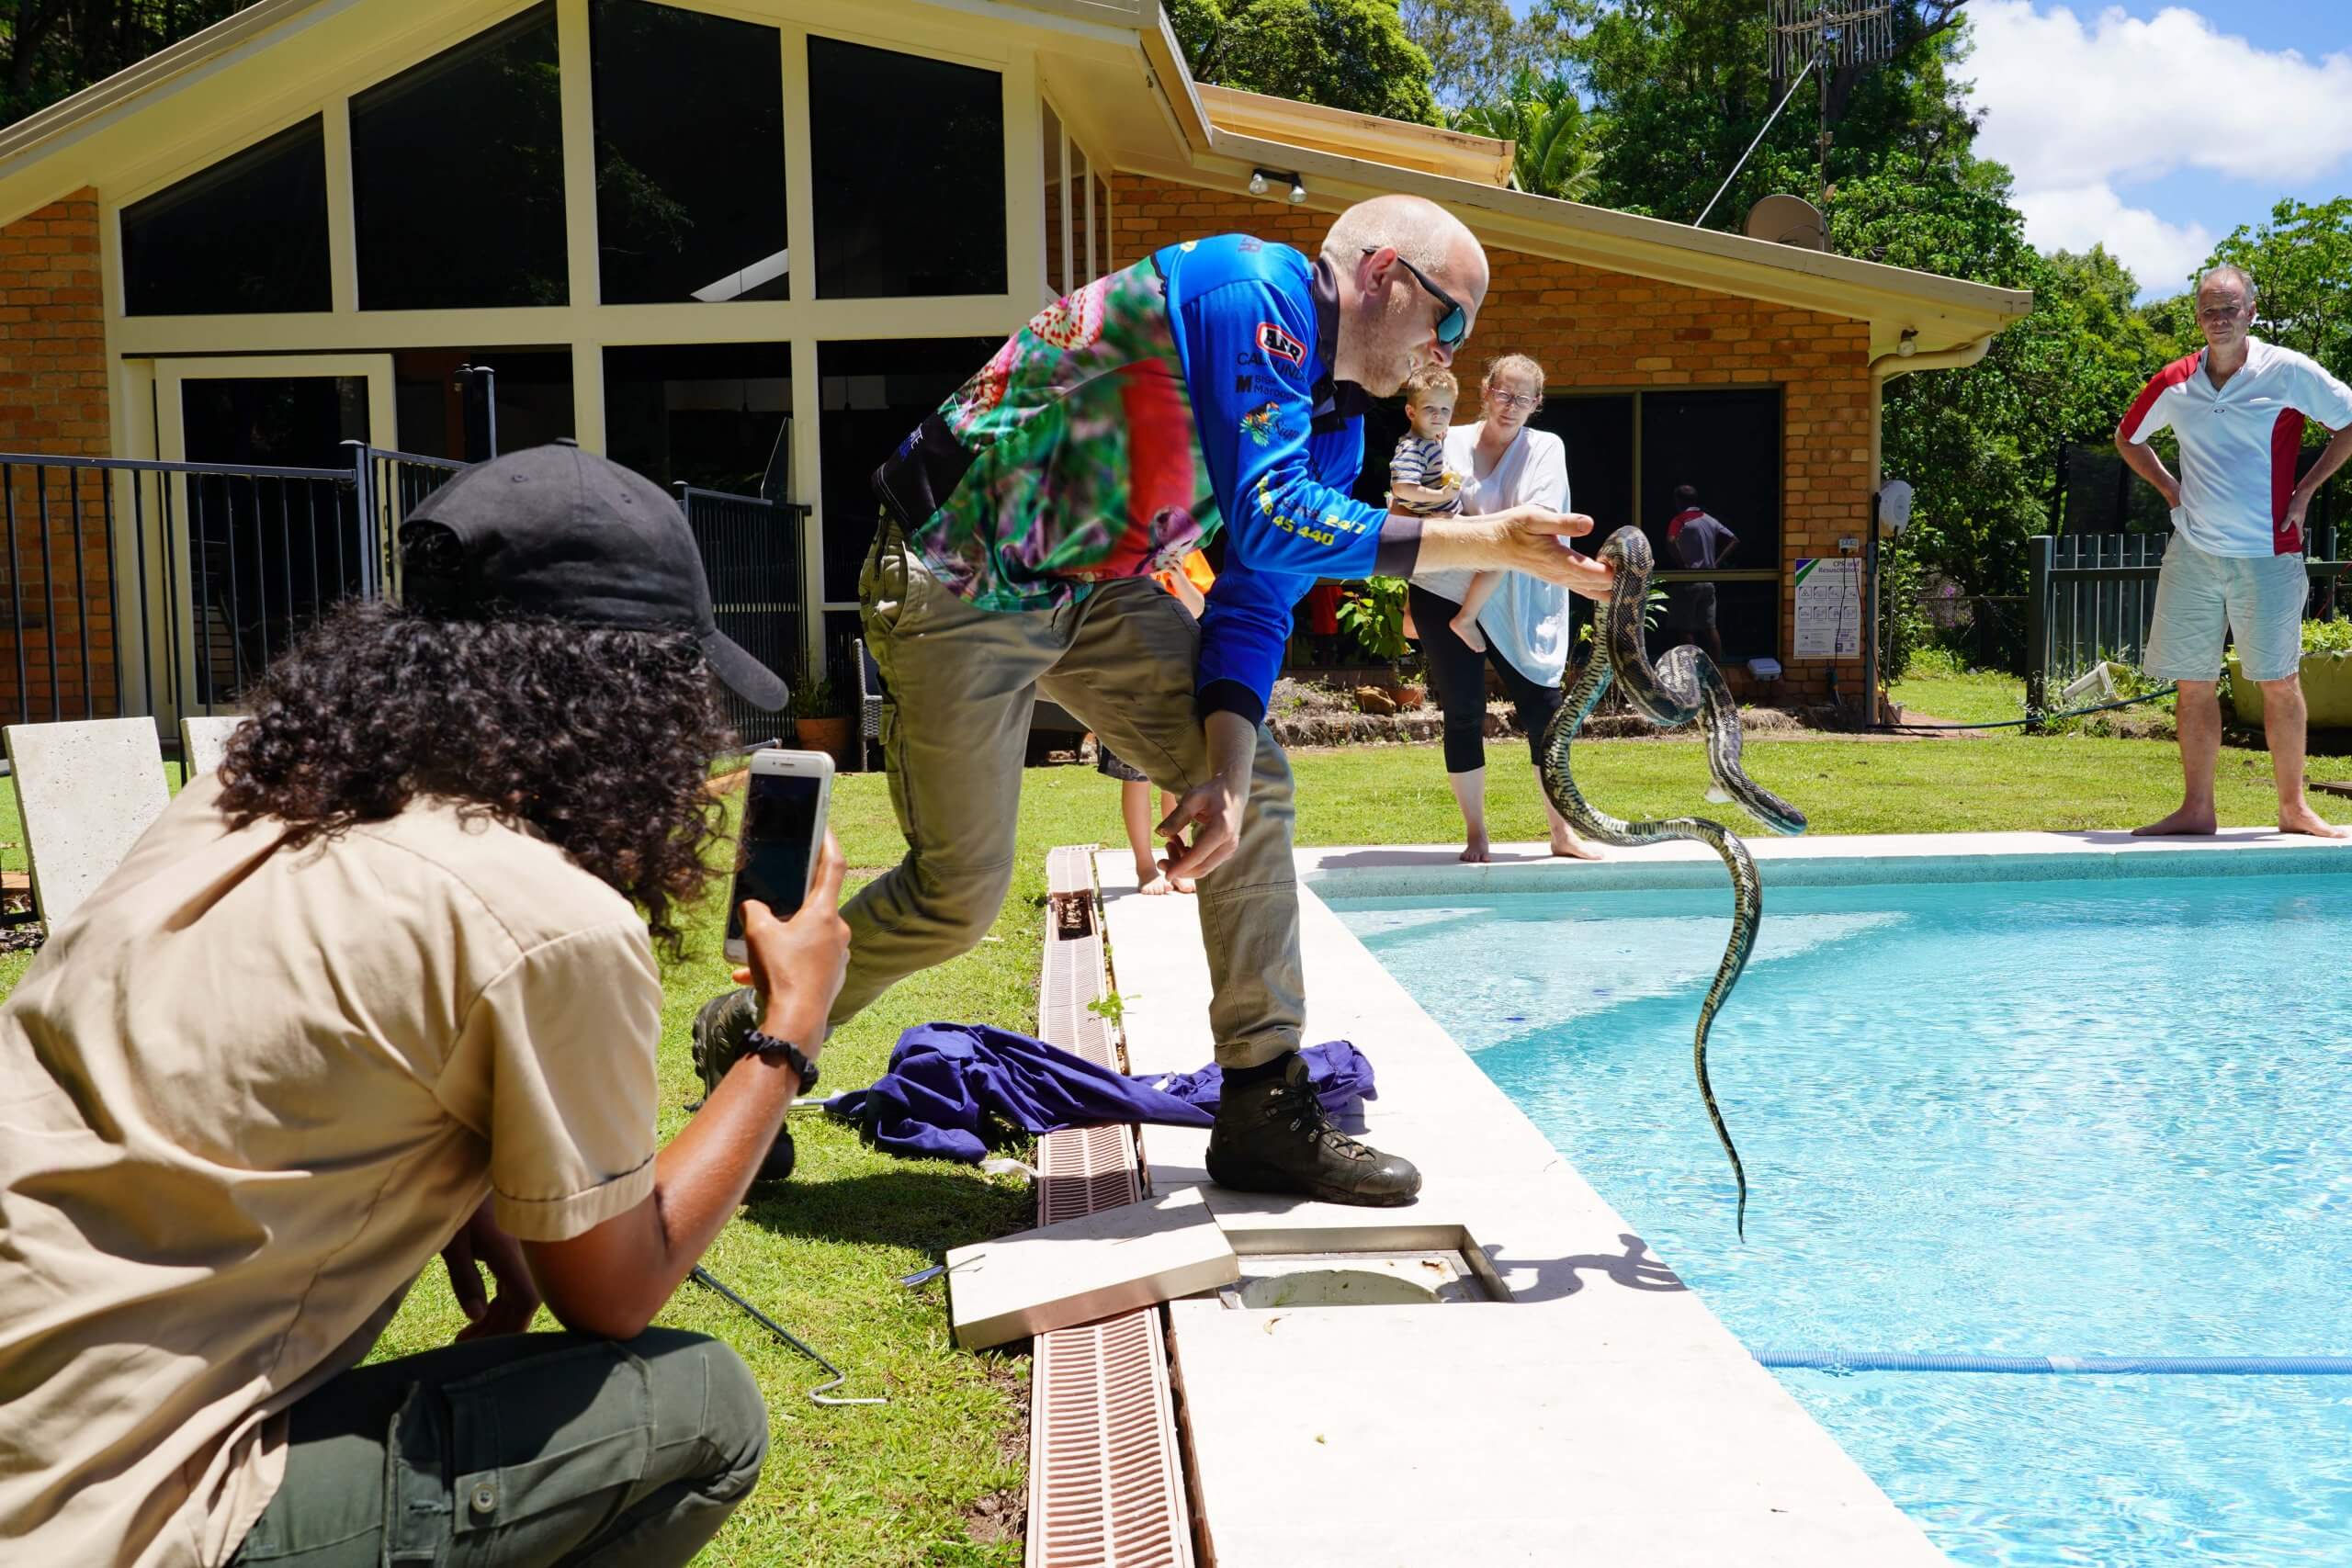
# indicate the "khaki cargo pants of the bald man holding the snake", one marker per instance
pixel 956 730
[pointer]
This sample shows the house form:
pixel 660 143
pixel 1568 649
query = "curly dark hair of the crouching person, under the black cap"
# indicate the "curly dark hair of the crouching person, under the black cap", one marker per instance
pixel 599 739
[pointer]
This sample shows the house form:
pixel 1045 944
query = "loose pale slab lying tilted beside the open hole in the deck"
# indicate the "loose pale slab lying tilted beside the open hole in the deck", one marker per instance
pixel 1090 1268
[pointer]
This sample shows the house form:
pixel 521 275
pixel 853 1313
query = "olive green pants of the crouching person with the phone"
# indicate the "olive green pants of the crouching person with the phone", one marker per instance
pixel 519 1452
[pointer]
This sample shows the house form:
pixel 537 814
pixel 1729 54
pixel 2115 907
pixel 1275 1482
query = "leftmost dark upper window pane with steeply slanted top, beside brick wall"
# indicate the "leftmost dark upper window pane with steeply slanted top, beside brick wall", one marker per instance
pixel 194 250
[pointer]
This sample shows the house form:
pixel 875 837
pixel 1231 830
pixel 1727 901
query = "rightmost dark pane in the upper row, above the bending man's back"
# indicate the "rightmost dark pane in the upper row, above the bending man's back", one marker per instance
pixel 909 163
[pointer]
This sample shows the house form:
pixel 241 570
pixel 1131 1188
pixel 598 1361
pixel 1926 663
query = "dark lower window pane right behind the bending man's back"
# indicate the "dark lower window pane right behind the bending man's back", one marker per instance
pixel 871 396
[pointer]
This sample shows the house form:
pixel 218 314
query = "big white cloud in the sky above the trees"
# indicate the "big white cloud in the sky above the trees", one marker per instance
pixel 2080 109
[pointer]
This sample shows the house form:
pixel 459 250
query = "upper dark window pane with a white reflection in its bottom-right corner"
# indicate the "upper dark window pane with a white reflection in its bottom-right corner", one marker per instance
pixel 690 206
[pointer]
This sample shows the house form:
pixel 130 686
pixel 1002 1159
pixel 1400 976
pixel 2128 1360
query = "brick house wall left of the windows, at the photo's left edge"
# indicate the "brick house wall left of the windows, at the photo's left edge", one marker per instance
pixel 55 401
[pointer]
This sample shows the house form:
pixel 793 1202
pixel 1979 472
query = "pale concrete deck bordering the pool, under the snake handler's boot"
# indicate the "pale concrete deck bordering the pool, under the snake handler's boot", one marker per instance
pixel 1601 1414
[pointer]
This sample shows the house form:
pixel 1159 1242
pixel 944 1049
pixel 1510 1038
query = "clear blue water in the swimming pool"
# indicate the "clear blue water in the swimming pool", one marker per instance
pixel 2014 1118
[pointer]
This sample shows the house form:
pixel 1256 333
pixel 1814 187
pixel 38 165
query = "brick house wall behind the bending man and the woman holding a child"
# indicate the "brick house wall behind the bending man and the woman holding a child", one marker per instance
pixel 1629 333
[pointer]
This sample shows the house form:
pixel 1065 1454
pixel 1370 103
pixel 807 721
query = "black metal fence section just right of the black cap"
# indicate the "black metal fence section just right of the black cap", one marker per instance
pixel 754 563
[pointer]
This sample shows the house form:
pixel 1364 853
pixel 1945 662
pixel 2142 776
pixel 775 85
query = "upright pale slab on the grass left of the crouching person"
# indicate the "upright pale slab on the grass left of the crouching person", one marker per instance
pixel 86 791
